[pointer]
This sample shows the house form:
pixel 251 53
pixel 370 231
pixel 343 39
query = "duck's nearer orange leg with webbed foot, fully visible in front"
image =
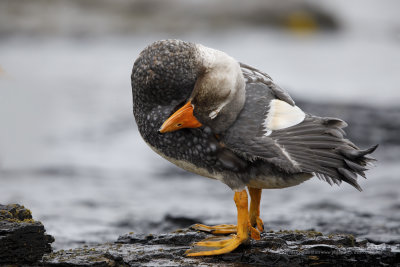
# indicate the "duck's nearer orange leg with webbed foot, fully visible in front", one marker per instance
pixel 226 244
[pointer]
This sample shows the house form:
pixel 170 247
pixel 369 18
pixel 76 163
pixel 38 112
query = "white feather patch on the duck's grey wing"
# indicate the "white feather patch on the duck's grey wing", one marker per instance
pixel 282 115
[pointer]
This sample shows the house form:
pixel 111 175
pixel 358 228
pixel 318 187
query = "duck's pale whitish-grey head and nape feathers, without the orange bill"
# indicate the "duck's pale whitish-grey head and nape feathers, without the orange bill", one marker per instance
pixel 219 92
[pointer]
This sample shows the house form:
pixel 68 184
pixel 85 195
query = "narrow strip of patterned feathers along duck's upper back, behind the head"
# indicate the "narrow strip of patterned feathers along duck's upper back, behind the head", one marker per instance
pixel 254 76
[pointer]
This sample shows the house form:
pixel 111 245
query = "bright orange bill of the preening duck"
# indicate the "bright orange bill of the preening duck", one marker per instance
pixel 182 118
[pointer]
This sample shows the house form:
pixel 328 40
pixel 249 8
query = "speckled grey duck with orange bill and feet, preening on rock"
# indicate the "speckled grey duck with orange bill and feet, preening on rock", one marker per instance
pixel 209 114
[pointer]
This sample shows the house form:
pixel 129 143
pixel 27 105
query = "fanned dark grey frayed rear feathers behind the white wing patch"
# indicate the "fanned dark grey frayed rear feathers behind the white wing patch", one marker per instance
pixel 318 146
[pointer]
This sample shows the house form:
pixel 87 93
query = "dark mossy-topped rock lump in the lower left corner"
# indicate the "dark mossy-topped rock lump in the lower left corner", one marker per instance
pixel 22 239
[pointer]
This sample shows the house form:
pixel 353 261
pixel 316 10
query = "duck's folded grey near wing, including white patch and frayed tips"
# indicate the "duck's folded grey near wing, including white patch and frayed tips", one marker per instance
pixel 292 141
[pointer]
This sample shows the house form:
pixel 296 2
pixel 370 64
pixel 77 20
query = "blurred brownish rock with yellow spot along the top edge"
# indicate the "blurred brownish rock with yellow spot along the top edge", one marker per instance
pixel 86 18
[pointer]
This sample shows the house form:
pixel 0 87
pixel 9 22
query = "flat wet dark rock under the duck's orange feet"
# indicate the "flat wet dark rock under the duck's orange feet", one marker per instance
pixel 282 248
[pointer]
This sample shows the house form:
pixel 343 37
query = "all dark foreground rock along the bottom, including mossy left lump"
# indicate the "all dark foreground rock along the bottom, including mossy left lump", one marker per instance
pixel 24 242
